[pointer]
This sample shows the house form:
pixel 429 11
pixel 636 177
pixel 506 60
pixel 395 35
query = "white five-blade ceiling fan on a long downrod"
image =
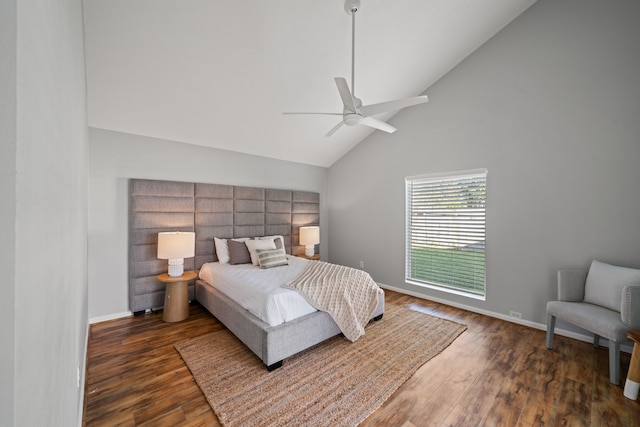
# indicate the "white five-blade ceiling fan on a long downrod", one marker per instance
pixel 354 112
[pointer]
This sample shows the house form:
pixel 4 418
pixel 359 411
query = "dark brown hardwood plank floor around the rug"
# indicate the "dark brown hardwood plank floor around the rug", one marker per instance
pixel 496 373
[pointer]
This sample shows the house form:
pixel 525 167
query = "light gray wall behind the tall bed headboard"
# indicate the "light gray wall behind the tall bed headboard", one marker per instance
pixel 116 157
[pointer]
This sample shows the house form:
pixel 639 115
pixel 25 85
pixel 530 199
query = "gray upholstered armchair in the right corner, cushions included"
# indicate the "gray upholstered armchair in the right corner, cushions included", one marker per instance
pixel 604 300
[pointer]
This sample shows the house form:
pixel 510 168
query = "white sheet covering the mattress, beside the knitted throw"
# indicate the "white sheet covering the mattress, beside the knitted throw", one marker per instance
pixel 259 290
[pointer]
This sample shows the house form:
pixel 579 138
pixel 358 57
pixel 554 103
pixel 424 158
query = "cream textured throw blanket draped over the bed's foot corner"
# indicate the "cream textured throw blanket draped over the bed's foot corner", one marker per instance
pixel 350 296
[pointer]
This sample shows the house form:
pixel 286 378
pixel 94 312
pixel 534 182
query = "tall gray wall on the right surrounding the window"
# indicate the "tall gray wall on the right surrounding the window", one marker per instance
pixel 550 106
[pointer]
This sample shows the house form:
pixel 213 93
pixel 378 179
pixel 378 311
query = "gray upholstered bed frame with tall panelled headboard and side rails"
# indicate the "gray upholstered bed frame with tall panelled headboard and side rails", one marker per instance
pixel 223 211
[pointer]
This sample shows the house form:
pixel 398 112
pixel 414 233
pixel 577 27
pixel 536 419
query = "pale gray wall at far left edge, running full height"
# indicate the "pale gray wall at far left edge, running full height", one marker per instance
pixel 43 217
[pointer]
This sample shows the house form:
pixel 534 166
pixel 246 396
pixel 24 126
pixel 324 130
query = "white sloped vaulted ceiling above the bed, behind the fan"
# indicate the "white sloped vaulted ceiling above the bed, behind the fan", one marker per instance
pixel 219 73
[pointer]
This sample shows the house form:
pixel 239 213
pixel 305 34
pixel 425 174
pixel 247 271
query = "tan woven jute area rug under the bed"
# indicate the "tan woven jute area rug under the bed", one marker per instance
pixel 335 383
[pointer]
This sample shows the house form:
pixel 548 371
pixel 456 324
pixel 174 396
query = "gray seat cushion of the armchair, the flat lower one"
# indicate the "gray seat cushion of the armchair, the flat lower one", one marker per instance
pixel 593 318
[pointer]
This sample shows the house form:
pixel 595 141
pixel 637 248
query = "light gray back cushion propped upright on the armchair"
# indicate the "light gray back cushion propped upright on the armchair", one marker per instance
pixel 605 282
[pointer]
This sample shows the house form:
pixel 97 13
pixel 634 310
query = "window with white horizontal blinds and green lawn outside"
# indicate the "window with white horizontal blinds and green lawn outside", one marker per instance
pixel 445 246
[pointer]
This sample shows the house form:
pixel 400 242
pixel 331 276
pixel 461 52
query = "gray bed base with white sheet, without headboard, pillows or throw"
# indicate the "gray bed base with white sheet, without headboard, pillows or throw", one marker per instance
pixel 275 326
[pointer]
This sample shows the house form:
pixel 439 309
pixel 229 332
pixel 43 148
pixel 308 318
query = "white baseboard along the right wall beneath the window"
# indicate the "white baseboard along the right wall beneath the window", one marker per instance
pixel 563 332
